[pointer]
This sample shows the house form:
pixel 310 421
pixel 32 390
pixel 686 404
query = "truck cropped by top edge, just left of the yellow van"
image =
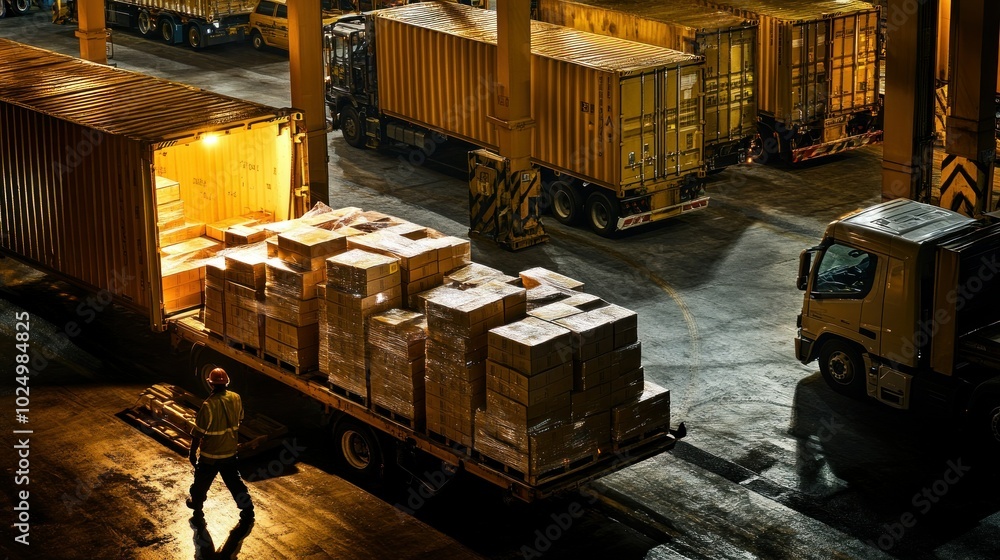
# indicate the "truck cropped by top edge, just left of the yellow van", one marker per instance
pixel 199 23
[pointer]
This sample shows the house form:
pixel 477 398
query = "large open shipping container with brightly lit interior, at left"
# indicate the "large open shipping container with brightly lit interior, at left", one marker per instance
pixel 87 152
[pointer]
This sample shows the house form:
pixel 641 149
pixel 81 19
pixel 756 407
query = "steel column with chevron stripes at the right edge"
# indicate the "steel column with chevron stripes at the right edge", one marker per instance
pixel 967 171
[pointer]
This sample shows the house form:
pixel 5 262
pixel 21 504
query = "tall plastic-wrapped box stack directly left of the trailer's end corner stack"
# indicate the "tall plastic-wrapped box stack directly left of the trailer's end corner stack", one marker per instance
pixel 457 326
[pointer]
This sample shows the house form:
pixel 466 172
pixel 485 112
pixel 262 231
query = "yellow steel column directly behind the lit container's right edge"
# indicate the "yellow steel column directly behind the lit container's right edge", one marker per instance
pixel 305 61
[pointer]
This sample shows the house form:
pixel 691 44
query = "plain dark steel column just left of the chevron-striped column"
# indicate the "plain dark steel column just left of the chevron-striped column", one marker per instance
pixel 908 113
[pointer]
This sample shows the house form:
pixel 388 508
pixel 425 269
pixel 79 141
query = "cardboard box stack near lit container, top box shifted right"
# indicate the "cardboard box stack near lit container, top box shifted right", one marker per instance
pixel 292 308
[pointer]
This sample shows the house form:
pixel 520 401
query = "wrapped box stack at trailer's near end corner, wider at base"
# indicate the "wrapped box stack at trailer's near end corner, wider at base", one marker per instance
pixel 527 423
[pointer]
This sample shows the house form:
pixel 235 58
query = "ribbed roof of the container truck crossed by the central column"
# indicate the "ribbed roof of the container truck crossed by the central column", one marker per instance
pixel 547 40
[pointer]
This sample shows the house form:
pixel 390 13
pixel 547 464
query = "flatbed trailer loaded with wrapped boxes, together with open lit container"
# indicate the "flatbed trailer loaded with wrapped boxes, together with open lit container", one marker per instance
pixel 140 210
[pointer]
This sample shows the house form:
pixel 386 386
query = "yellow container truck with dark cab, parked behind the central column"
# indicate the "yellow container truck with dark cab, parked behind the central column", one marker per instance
pixel 618 124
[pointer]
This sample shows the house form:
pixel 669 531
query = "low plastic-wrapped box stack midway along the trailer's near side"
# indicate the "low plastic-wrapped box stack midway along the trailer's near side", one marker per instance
pixel 396 351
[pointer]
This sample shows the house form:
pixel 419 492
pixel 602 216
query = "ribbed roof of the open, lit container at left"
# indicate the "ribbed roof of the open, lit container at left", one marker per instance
pixel 117 101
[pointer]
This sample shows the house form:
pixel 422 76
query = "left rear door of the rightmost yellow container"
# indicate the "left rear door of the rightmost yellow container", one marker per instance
pixel 808 71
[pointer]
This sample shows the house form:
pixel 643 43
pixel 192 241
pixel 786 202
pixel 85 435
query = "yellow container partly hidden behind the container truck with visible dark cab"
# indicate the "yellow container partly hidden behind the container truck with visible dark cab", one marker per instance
pixel 728 43
